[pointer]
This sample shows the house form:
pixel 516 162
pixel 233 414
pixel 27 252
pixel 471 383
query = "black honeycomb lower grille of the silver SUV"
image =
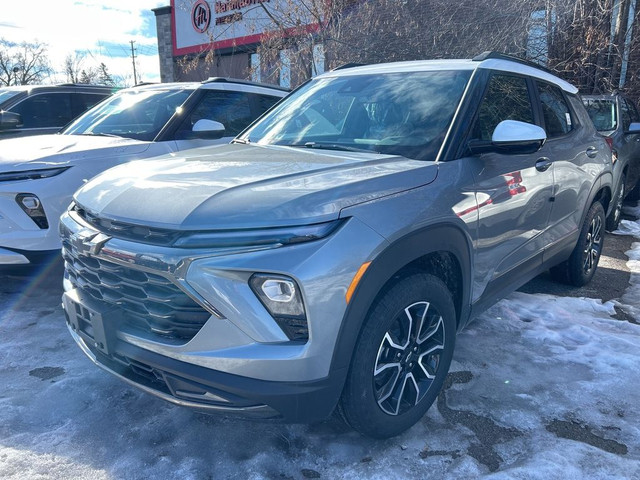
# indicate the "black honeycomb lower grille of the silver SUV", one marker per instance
pixel 147 301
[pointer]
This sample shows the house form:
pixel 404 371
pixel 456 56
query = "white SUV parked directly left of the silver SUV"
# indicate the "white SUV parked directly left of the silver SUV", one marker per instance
pixel 39 174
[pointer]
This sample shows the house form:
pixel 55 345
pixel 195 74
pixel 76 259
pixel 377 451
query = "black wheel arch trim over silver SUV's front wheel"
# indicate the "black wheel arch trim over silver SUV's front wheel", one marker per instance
pixel 443 250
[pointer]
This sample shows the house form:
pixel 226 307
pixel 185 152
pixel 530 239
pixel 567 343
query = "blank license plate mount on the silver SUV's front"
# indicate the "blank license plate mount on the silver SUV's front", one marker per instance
pixel 87 322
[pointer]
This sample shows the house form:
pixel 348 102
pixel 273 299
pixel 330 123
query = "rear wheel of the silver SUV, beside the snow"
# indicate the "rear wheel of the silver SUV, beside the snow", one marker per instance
pixel 579 269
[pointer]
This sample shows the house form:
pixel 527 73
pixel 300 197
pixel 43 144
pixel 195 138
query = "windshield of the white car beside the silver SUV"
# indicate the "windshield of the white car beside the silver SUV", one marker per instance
pixel 134 114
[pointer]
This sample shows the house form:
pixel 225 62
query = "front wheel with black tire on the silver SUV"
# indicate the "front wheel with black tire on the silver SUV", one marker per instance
pixel 399 365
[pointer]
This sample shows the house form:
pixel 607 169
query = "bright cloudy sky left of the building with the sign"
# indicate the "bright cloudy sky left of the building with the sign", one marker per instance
pixel 99 30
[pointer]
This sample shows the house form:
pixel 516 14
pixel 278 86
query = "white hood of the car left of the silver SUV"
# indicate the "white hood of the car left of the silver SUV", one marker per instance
pixel 42 151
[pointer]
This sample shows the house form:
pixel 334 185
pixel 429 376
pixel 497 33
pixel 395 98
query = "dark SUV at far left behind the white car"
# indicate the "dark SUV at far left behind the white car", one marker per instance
pixel 36 110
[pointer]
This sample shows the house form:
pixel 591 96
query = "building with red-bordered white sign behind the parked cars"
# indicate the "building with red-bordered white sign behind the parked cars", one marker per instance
pixel 198 39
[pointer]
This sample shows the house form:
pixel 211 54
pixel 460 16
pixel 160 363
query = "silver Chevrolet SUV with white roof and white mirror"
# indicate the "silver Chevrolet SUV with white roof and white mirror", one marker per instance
pixel 328 257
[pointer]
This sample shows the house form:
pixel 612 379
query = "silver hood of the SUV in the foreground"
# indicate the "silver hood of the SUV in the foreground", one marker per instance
pixel 247 186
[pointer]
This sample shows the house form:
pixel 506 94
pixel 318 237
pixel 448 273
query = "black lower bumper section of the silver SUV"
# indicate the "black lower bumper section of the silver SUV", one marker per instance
pixel 206 390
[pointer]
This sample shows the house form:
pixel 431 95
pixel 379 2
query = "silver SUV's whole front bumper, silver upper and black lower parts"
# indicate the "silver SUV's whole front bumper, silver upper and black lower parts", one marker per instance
pixel 239 361
